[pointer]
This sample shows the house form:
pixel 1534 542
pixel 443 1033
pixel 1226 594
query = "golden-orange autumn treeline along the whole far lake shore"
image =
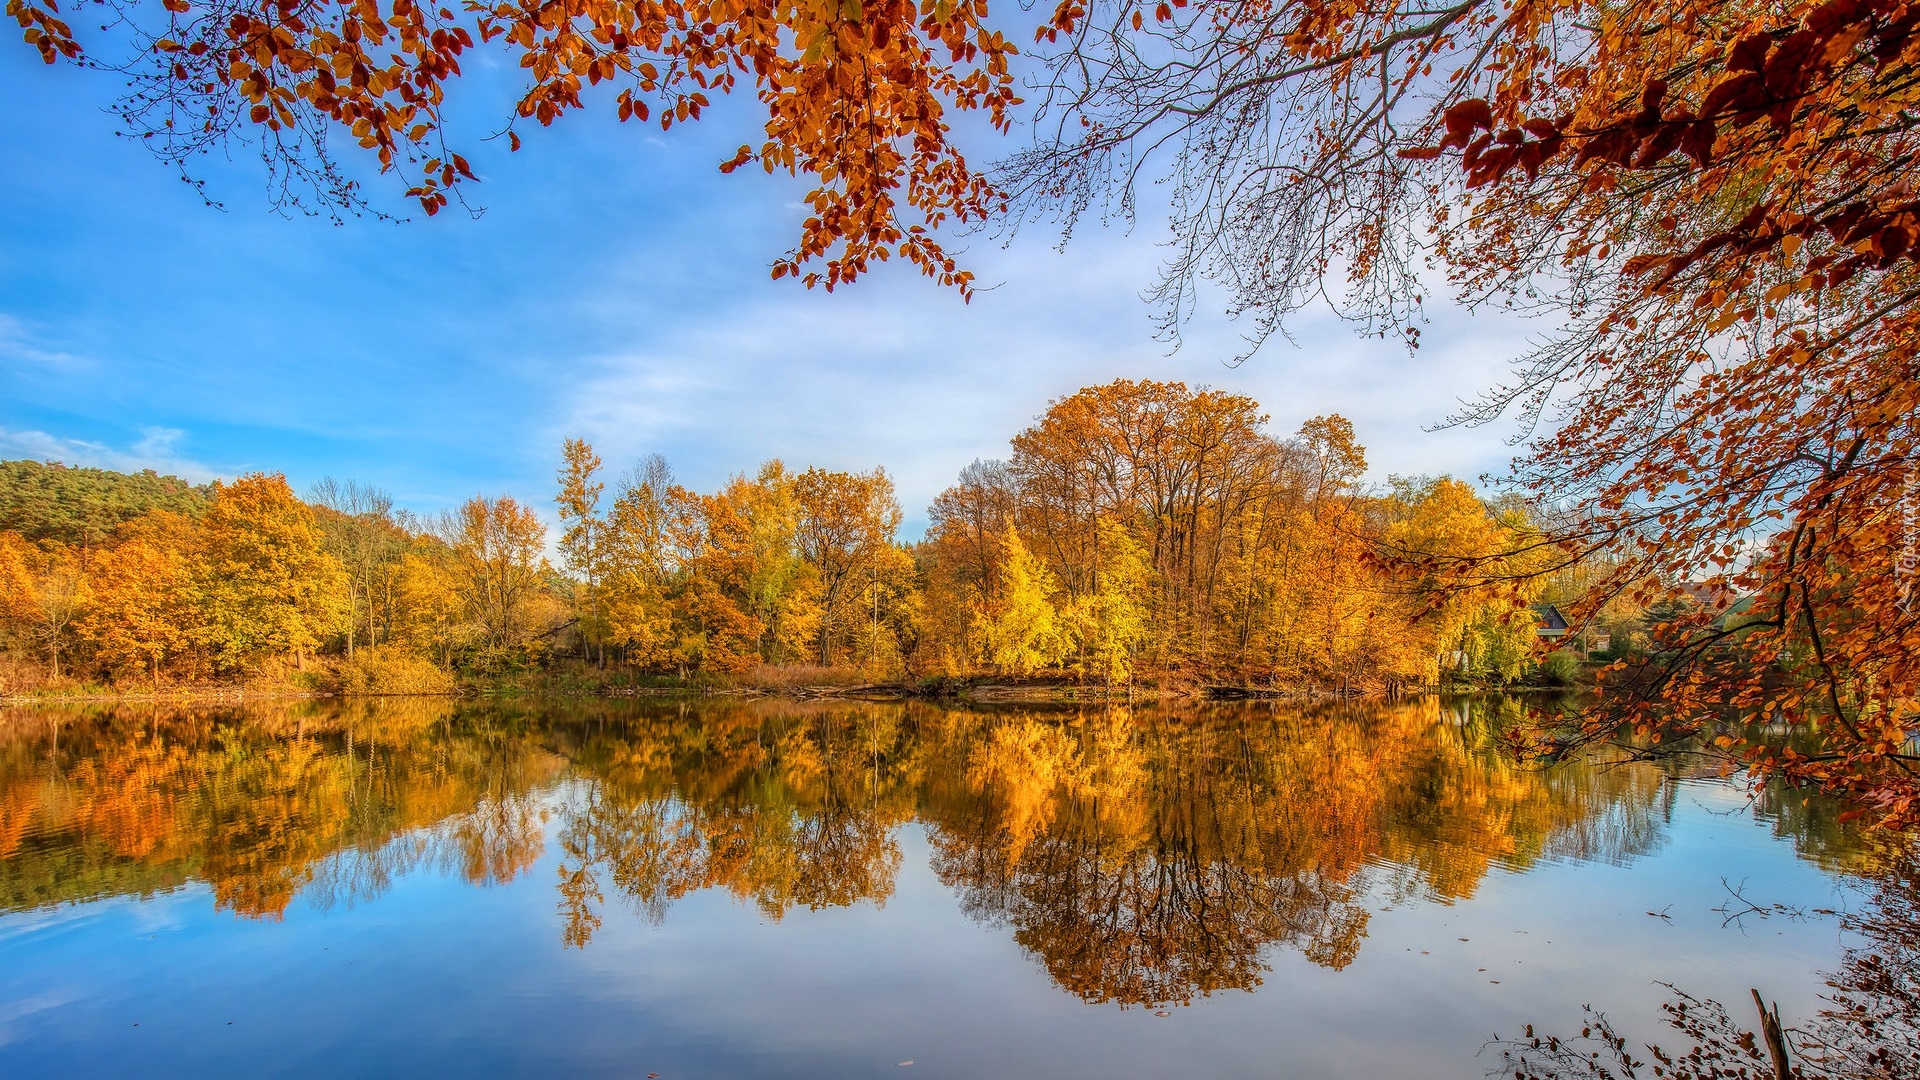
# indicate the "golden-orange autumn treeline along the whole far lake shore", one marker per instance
pixel 1140 531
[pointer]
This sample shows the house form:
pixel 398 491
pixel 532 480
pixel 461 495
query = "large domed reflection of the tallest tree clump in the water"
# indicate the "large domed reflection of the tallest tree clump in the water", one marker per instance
pixel 1130 877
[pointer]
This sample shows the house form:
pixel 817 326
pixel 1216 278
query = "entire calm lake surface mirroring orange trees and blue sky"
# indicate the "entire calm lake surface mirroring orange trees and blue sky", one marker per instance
pixel 840 891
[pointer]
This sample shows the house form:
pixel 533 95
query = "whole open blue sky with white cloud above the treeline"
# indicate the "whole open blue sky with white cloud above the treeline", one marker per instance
pixel 615 289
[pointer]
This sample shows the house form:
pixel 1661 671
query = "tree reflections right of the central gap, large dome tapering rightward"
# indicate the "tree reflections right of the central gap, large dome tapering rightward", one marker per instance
pixel 1155 860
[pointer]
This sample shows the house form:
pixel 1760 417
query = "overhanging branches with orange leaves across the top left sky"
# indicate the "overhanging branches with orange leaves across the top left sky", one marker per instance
pixel 855 95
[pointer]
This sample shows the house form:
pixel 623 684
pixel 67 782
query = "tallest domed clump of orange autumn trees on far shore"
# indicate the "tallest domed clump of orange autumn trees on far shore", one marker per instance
pixel 1176 535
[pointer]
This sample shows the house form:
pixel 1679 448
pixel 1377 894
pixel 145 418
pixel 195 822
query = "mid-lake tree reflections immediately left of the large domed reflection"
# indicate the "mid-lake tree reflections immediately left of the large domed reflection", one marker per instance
pixel 779 810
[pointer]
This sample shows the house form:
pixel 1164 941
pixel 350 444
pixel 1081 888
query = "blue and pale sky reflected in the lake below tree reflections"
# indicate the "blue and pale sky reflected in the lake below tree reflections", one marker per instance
pixel 439 977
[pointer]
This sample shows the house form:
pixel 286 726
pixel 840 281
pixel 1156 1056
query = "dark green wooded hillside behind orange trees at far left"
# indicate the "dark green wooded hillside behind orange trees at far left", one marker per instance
pixel 82 506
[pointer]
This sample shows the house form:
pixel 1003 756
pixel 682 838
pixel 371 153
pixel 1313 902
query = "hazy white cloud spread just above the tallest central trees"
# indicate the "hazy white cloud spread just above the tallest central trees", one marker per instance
pixel 898 372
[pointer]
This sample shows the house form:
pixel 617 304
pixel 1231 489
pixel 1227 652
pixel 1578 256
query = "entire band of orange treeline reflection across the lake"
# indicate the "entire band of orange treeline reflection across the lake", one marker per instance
pixel 1141 856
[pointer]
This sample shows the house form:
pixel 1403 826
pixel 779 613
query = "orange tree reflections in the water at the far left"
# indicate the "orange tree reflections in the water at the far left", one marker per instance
pixel 260 804
